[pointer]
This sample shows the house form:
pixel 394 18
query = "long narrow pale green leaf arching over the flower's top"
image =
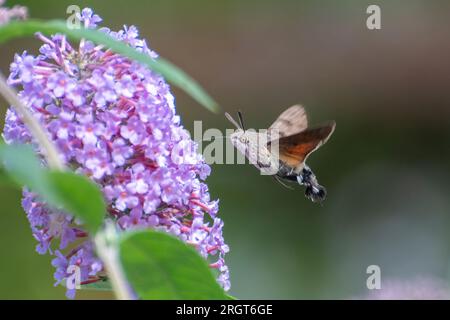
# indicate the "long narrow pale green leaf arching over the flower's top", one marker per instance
pixel 169 71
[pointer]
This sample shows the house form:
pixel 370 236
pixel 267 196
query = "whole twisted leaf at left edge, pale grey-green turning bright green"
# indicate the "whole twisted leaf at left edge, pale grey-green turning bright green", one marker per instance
pixel 73 193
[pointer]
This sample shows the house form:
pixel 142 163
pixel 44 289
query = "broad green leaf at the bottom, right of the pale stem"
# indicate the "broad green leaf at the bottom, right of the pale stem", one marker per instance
pixel 159 266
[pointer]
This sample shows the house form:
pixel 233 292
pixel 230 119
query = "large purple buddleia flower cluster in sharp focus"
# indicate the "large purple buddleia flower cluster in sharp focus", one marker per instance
pixel 113 120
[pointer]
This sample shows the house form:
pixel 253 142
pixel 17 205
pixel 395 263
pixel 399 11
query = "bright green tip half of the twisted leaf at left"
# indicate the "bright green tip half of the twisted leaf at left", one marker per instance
pixel 78 196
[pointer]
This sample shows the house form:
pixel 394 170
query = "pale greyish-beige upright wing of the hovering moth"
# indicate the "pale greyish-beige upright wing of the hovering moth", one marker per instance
pixel 293 120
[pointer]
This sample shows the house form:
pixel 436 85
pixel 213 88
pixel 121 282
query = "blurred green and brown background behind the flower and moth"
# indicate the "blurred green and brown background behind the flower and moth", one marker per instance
pixel 386 168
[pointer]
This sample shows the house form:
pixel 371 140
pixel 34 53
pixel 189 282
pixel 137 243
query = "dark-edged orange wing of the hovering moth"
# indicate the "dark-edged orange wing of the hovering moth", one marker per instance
pixel 294 149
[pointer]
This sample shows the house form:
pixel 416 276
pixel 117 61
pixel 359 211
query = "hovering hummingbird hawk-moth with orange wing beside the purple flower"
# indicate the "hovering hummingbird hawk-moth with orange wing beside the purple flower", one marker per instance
pixel 282 150
